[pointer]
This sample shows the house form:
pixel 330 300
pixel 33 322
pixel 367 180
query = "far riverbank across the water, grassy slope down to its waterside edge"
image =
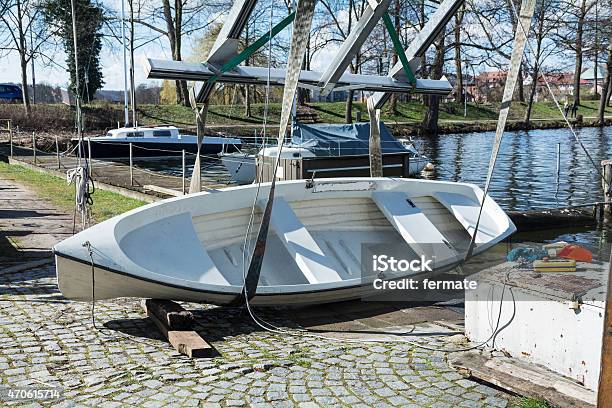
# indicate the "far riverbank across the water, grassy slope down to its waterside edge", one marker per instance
pixel 58 120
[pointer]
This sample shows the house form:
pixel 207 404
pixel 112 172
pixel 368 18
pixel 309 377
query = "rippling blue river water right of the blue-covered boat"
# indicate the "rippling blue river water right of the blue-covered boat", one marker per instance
pixel 525 175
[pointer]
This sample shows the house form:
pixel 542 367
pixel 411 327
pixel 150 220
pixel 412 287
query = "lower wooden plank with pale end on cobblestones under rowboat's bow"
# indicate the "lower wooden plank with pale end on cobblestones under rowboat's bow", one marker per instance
pixel 187 342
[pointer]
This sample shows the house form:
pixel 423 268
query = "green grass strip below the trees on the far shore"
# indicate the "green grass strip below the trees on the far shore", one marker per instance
pixel 100 115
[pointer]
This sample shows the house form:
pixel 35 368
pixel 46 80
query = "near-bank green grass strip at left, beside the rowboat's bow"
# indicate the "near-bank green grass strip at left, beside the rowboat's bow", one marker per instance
pixel 106 204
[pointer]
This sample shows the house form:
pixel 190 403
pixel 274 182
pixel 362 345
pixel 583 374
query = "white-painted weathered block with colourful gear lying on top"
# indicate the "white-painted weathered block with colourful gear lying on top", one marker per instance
pixel 569 305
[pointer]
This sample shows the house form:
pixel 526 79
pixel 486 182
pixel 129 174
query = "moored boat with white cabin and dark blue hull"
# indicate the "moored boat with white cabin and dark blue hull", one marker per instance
pixel 153 141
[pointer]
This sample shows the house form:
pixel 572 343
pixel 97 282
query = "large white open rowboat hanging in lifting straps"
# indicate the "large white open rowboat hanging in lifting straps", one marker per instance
pixel 191 247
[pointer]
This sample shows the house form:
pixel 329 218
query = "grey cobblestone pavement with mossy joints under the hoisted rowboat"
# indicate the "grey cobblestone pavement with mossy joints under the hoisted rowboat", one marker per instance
pixel 46 340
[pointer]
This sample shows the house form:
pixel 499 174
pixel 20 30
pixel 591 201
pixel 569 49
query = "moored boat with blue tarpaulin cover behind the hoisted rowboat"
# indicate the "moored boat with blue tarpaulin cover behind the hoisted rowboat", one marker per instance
pixel 323 140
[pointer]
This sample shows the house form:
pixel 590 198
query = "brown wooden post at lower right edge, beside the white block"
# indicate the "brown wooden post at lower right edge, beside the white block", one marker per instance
pixel 604 395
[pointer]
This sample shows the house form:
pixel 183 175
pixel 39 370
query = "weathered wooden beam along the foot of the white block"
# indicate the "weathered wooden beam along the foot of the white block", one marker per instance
pixel 524 379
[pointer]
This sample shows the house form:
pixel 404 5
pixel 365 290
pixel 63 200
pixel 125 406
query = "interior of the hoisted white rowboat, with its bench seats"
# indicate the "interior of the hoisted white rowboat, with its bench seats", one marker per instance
pixel 317 241
